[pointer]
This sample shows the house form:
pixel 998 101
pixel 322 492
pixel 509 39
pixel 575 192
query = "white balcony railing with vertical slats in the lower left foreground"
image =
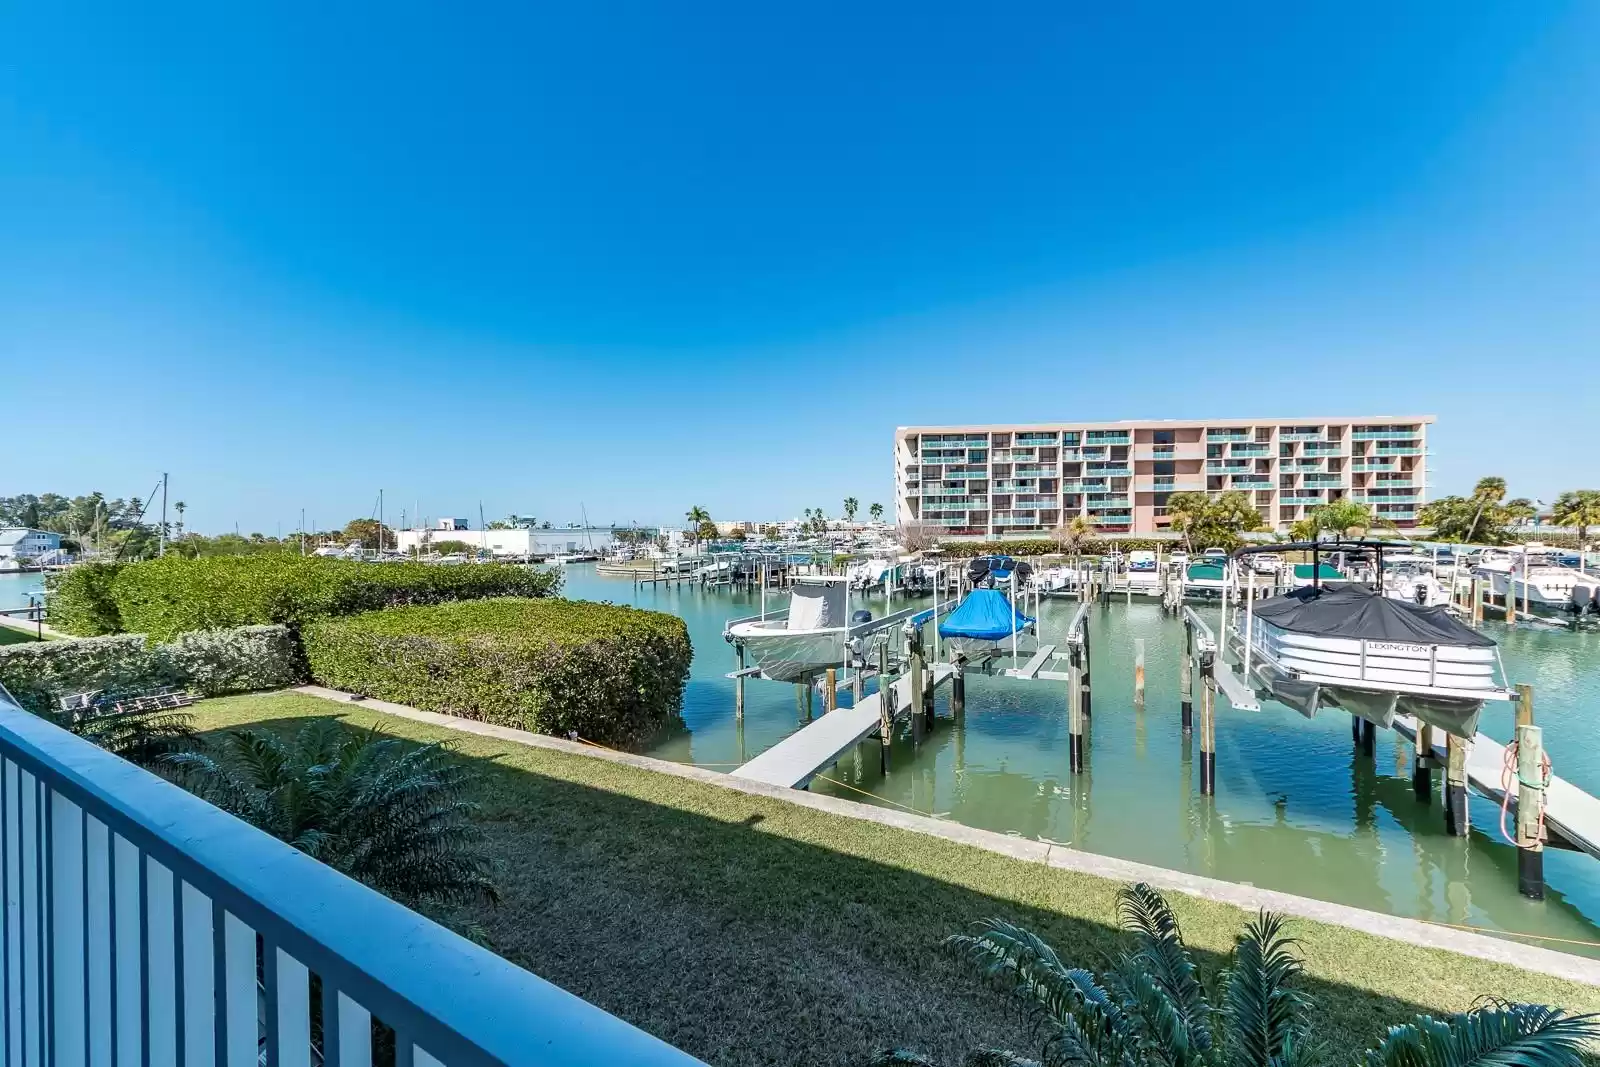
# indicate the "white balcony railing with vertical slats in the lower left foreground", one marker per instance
pixel 146 927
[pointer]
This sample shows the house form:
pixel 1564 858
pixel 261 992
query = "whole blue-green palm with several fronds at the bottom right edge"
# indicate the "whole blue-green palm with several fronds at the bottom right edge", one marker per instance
pixel 1151 1007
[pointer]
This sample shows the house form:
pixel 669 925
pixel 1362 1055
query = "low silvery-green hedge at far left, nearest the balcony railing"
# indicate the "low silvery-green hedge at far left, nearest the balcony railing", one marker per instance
pixel 212 665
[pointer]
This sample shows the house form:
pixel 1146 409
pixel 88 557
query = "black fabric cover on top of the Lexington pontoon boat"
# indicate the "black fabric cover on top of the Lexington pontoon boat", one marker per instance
pixel 1358 613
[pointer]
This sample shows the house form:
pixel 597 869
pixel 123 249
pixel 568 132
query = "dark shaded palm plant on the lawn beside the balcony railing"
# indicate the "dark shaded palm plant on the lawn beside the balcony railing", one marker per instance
pixel 380 810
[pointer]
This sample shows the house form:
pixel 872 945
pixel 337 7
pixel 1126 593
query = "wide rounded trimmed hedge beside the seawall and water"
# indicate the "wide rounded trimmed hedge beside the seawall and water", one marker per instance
pixel 612 674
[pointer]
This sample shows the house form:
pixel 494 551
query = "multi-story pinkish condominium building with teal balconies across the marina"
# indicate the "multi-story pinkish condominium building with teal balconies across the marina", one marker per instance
pixel 1014 481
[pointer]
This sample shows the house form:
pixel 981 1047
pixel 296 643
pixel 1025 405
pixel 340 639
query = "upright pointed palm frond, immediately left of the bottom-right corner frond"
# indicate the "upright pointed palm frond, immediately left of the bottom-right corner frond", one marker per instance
pixel 1265 1015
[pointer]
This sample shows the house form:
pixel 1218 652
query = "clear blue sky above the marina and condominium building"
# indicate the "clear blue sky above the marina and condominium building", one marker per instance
pixel 647 257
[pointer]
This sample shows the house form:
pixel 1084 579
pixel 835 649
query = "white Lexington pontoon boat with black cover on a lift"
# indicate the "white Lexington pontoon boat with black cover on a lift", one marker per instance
pixel 1372 655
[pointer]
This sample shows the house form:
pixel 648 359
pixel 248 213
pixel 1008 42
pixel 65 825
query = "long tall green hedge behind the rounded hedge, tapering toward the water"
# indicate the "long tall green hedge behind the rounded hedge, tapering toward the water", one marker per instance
pixel 175 596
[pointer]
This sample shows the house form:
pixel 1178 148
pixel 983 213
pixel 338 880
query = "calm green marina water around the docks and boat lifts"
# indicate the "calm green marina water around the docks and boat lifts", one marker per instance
pixel 1295 809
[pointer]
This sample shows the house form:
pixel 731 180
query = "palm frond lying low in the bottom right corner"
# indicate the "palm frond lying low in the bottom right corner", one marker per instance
pixel 1495 1036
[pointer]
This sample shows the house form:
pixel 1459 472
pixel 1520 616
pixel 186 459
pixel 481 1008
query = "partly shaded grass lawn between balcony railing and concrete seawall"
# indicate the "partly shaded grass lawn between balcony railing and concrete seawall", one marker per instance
pixel 748 930
